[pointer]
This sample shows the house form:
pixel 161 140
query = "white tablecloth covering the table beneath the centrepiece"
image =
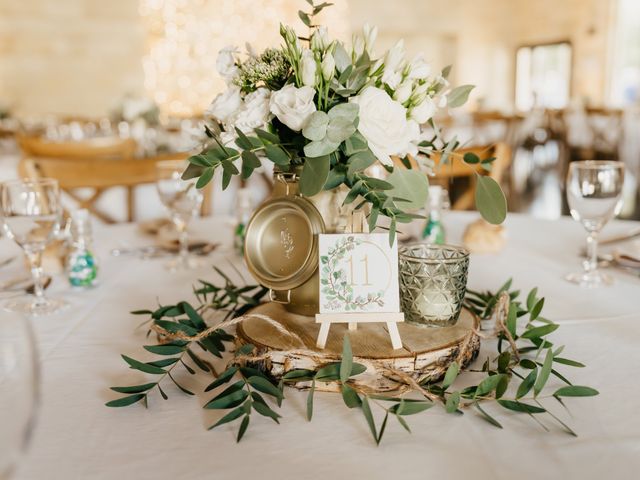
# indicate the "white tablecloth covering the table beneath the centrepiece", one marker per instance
pixel 77 437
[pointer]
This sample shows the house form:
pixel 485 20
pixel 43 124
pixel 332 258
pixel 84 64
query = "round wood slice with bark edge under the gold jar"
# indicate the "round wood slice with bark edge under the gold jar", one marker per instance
pixel 426 354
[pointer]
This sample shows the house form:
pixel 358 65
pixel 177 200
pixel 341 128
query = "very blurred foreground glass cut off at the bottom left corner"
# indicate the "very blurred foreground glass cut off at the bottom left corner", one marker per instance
pixel 19 380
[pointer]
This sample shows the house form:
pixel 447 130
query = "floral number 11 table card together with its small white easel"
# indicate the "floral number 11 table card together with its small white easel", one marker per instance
pixel 358 283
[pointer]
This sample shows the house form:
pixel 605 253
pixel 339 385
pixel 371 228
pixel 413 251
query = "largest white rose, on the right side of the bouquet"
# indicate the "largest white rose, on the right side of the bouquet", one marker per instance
pixel 383 122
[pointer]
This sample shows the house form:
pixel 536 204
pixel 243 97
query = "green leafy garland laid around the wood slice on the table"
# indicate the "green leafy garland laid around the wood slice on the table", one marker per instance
pixel 525 356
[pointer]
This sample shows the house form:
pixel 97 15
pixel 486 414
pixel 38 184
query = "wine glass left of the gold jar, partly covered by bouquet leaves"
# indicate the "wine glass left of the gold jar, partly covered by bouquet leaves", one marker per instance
pixel 183 200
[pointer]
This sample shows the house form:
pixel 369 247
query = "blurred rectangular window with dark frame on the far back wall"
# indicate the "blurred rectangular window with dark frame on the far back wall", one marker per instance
pixel 543 76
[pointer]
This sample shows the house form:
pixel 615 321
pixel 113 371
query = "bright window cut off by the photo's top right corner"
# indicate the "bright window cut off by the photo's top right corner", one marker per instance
pixel 625 74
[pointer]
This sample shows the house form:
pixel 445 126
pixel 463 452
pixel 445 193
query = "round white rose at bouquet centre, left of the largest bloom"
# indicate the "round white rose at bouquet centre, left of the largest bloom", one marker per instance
pixel 293 106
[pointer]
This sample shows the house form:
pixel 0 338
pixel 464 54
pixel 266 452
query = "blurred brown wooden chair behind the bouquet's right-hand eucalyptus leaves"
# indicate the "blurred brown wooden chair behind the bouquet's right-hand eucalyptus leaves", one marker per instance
pixel 455 171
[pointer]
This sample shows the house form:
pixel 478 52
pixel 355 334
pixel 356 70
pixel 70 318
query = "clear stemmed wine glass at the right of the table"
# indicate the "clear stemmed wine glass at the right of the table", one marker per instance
pixel 594 193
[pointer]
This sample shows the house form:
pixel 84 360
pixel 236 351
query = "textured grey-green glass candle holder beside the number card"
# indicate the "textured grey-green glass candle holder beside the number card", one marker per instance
pixel 433 282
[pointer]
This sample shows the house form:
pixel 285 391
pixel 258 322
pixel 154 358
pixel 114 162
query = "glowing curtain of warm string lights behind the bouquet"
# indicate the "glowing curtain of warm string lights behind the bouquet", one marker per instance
pixel 184 36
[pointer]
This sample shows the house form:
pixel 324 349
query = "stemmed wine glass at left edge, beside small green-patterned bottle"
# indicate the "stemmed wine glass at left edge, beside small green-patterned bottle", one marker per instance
pixel 30 212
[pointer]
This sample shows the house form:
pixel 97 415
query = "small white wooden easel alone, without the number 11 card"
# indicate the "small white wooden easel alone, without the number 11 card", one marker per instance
pixel 357 225
